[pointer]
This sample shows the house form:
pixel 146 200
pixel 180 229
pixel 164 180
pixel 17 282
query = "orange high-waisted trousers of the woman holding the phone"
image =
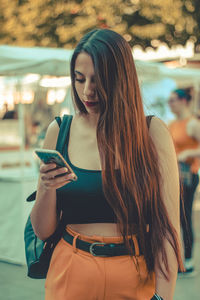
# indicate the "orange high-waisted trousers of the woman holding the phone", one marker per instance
pixel 78 275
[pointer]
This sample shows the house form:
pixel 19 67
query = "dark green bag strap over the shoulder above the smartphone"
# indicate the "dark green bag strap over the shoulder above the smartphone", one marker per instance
pixel 63 132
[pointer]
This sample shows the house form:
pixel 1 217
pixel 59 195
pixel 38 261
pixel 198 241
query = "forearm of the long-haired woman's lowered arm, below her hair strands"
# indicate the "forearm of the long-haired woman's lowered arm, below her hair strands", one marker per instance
pixel 165 288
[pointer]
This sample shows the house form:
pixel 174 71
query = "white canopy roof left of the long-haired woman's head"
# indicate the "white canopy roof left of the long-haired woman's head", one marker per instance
pixel 44 61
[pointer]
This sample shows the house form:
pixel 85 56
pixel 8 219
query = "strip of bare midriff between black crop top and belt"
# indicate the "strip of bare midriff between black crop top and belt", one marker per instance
pixel 100 229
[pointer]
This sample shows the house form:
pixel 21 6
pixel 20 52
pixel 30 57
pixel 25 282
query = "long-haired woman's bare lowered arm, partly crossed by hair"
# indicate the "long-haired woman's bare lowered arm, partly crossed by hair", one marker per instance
pixel 170 193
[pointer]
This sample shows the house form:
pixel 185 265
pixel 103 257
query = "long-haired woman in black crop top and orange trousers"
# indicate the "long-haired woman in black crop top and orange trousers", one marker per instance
pixel 122 214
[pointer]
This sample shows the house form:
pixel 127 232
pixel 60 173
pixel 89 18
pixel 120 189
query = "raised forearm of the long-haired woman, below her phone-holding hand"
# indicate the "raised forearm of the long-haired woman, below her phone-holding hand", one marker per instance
pixel 44 217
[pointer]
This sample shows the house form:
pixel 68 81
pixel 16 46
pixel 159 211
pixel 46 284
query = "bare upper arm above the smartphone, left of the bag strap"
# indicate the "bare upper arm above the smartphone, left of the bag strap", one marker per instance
pixel 51 135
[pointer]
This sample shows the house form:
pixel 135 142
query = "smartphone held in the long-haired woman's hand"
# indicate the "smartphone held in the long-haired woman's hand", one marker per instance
pixel 53 156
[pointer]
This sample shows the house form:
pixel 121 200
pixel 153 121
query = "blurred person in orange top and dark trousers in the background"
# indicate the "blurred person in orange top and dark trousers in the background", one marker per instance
pixel 185 131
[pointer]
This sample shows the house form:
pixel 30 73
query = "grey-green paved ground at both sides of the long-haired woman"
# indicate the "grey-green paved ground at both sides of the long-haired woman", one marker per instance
pixel 15 285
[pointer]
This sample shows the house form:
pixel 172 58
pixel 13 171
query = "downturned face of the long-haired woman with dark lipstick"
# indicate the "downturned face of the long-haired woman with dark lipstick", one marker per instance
pixel 85 82
